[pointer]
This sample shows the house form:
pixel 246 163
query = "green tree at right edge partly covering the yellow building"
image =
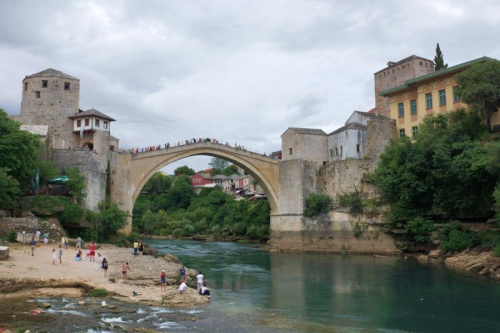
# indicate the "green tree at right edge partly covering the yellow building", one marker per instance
pixel 480 88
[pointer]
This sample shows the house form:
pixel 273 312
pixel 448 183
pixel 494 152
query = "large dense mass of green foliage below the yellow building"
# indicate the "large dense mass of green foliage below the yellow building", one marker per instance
pixel 447 168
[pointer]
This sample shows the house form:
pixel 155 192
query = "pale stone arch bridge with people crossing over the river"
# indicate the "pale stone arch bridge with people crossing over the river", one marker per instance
pixel 130 172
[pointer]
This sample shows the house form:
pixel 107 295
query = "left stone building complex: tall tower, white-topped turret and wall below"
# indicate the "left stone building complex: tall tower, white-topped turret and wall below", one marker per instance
pixel 73 138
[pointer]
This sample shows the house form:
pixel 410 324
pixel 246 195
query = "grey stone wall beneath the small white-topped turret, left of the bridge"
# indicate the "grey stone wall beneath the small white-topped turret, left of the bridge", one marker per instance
pixel 90 167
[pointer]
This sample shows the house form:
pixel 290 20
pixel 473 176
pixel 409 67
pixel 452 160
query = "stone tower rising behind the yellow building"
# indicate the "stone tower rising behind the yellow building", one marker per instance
pixel 395 74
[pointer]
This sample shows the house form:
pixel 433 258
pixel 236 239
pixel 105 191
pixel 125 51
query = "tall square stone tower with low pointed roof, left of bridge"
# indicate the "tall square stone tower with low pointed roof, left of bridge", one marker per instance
pixel 49 98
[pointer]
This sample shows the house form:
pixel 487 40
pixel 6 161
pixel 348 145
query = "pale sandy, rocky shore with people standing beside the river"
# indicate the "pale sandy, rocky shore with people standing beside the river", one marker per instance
pixel 24 275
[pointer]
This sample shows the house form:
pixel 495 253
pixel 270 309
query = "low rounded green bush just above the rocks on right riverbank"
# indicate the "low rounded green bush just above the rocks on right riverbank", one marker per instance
pixel 456 238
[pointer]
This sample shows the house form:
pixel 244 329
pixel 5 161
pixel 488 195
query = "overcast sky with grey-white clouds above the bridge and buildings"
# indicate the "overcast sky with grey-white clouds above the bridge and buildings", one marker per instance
pixel 237 70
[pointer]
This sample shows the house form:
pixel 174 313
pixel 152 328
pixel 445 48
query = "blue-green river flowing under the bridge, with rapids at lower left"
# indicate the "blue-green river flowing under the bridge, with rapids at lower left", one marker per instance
pixel 257 291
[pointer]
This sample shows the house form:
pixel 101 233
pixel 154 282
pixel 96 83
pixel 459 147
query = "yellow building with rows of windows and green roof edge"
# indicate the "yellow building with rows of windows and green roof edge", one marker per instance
pixel 428 94
